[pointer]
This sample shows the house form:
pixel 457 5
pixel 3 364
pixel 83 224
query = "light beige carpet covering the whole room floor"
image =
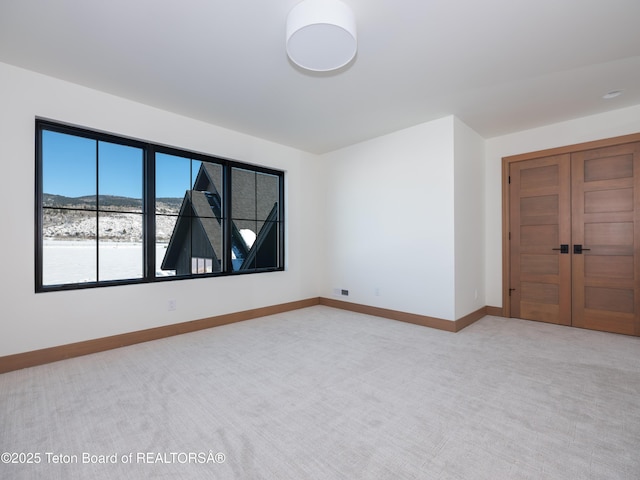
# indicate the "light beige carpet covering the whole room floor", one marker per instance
pixel 322 393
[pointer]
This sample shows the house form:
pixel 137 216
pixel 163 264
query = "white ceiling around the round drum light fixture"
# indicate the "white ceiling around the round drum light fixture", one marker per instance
pixel 498 65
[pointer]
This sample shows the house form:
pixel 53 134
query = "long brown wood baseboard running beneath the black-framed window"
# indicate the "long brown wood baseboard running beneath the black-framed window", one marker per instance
pixel 62 352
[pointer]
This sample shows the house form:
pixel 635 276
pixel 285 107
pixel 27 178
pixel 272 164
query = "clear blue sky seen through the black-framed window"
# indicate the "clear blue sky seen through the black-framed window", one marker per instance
pixel 69 168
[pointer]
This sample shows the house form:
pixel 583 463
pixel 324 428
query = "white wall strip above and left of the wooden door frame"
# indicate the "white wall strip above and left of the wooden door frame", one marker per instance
pixel 595 127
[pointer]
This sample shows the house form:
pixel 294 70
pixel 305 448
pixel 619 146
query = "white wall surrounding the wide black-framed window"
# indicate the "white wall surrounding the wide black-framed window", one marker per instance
pixel 31 321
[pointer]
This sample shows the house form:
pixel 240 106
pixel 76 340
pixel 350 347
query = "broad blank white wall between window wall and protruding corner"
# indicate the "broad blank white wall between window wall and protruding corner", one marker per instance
pixel 390 221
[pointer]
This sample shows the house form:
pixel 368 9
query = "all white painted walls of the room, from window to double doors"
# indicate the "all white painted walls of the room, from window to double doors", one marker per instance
pixel 395 228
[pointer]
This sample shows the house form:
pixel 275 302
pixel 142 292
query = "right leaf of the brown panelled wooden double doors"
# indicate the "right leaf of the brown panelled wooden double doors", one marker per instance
pixel 606 224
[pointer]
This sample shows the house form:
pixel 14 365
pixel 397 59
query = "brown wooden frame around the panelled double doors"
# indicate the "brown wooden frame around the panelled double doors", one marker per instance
pixel 506 227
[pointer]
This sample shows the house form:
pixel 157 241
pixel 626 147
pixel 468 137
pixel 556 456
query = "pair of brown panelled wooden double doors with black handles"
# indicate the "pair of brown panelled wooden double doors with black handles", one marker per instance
pixel 586 203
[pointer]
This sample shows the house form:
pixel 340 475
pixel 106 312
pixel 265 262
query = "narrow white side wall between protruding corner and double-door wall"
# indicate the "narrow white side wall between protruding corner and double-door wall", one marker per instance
pixel 469 220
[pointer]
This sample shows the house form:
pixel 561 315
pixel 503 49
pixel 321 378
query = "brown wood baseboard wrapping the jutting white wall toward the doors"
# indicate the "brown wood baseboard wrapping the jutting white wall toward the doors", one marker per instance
pixel 425 321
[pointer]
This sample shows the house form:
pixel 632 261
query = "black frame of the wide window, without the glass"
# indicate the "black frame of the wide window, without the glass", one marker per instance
pixel 149 149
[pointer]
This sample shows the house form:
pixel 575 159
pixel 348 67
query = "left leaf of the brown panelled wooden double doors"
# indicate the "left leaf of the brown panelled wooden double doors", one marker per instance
pixel 540 219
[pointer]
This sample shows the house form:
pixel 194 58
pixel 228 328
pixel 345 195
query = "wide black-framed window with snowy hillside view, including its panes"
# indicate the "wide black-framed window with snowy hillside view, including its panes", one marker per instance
pixel 112 210
